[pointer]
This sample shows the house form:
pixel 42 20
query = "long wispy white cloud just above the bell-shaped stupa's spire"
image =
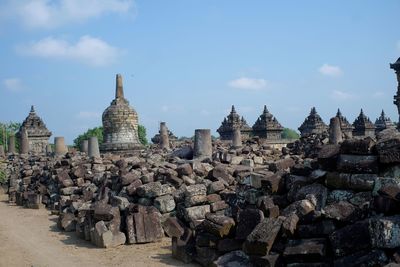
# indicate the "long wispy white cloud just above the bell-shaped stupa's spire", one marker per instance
pixel 88 50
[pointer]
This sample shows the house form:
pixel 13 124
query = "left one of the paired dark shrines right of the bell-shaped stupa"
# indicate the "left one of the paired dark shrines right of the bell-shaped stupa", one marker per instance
pixel 230 123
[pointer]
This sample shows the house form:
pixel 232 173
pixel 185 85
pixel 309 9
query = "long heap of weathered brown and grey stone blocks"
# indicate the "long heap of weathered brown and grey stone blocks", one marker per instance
pixel 249 206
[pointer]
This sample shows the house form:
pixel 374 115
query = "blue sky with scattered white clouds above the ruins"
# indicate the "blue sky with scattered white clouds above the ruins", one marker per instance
pixel 186 62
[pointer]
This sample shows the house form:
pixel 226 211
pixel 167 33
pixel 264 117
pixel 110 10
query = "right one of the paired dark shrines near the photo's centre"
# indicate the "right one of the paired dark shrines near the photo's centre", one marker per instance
pixel 267 126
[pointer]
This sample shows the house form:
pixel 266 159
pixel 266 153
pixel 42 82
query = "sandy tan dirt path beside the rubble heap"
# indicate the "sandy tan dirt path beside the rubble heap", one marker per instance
pixel 31 238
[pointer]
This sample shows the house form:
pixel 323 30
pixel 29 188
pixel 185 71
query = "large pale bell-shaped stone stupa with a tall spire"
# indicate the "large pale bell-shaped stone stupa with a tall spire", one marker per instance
pixel 120 123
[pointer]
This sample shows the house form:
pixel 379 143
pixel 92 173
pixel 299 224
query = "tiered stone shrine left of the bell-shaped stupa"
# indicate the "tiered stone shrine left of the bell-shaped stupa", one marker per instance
pixel 38 134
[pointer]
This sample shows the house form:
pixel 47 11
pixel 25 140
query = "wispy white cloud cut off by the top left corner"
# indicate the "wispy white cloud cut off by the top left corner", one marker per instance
pixel 54 13
